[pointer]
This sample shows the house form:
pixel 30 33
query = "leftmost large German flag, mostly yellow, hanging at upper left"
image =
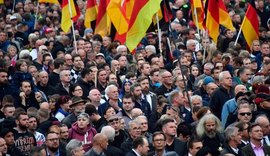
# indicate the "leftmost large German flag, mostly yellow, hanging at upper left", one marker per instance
pixel 67 14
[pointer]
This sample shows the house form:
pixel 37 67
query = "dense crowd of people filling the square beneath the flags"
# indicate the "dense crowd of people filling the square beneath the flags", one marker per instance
pixel 182 96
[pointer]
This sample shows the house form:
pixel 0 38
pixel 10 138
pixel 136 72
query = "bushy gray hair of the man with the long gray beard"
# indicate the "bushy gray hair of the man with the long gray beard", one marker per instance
pixel 200 127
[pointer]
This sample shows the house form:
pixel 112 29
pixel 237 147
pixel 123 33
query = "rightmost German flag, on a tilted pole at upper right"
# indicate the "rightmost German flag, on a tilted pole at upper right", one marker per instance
pixel 250 24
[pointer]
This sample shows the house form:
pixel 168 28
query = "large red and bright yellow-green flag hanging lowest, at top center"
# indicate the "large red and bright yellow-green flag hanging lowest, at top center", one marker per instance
pixel 140 20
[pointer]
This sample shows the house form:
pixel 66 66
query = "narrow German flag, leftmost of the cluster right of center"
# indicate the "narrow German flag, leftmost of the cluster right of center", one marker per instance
pixel 197 5
